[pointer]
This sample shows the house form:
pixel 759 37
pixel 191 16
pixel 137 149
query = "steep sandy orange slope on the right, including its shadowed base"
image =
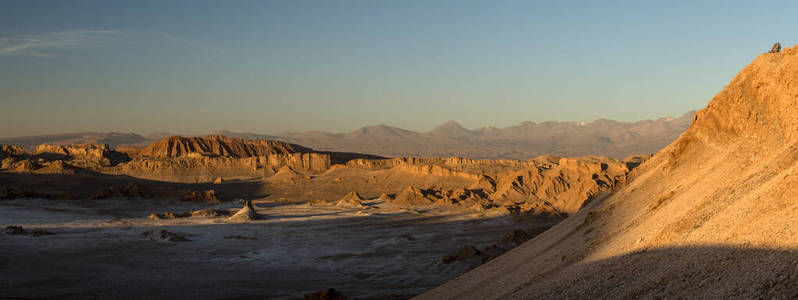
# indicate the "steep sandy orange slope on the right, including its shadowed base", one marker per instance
pixel 711 215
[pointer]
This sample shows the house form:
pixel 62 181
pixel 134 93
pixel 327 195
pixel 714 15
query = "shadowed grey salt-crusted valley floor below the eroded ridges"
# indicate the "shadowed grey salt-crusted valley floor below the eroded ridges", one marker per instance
pixel 97 251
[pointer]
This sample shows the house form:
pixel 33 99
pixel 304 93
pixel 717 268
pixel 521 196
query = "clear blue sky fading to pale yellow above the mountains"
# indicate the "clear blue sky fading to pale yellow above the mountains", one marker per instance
pixel 193 67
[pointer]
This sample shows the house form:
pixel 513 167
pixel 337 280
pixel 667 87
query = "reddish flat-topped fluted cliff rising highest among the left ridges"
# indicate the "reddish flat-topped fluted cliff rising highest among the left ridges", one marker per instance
pixel 215 145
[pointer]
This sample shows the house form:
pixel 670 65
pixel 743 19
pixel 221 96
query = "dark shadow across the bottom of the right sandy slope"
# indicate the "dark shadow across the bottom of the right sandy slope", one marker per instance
pixel 699 272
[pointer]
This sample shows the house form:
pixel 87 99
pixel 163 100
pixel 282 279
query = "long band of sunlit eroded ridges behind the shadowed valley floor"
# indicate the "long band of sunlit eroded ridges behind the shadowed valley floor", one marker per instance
pixel 545 185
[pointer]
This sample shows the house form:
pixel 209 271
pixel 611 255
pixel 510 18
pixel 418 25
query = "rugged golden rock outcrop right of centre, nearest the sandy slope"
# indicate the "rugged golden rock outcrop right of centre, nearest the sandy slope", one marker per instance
pixel 542 186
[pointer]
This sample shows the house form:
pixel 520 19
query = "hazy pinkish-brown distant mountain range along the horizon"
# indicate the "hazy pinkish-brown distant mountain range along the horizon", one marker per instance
pixel 523 141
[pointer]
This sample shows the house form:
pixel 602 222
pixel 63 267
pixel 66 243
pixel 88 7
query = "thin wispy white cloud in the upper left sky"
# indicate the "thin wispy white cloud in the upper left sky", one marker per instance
pixel 53 43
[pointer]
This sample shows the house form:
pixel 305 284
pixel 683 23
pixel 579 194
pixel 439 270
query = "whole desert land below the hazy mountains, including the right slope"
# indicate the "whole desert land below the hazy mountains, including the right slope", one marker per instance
pixel 184 216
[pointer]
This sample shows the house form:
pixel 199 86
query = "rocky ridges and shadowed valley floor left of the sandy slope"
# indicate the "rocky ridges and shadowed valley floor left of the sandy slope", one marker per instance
pixel 221 217
